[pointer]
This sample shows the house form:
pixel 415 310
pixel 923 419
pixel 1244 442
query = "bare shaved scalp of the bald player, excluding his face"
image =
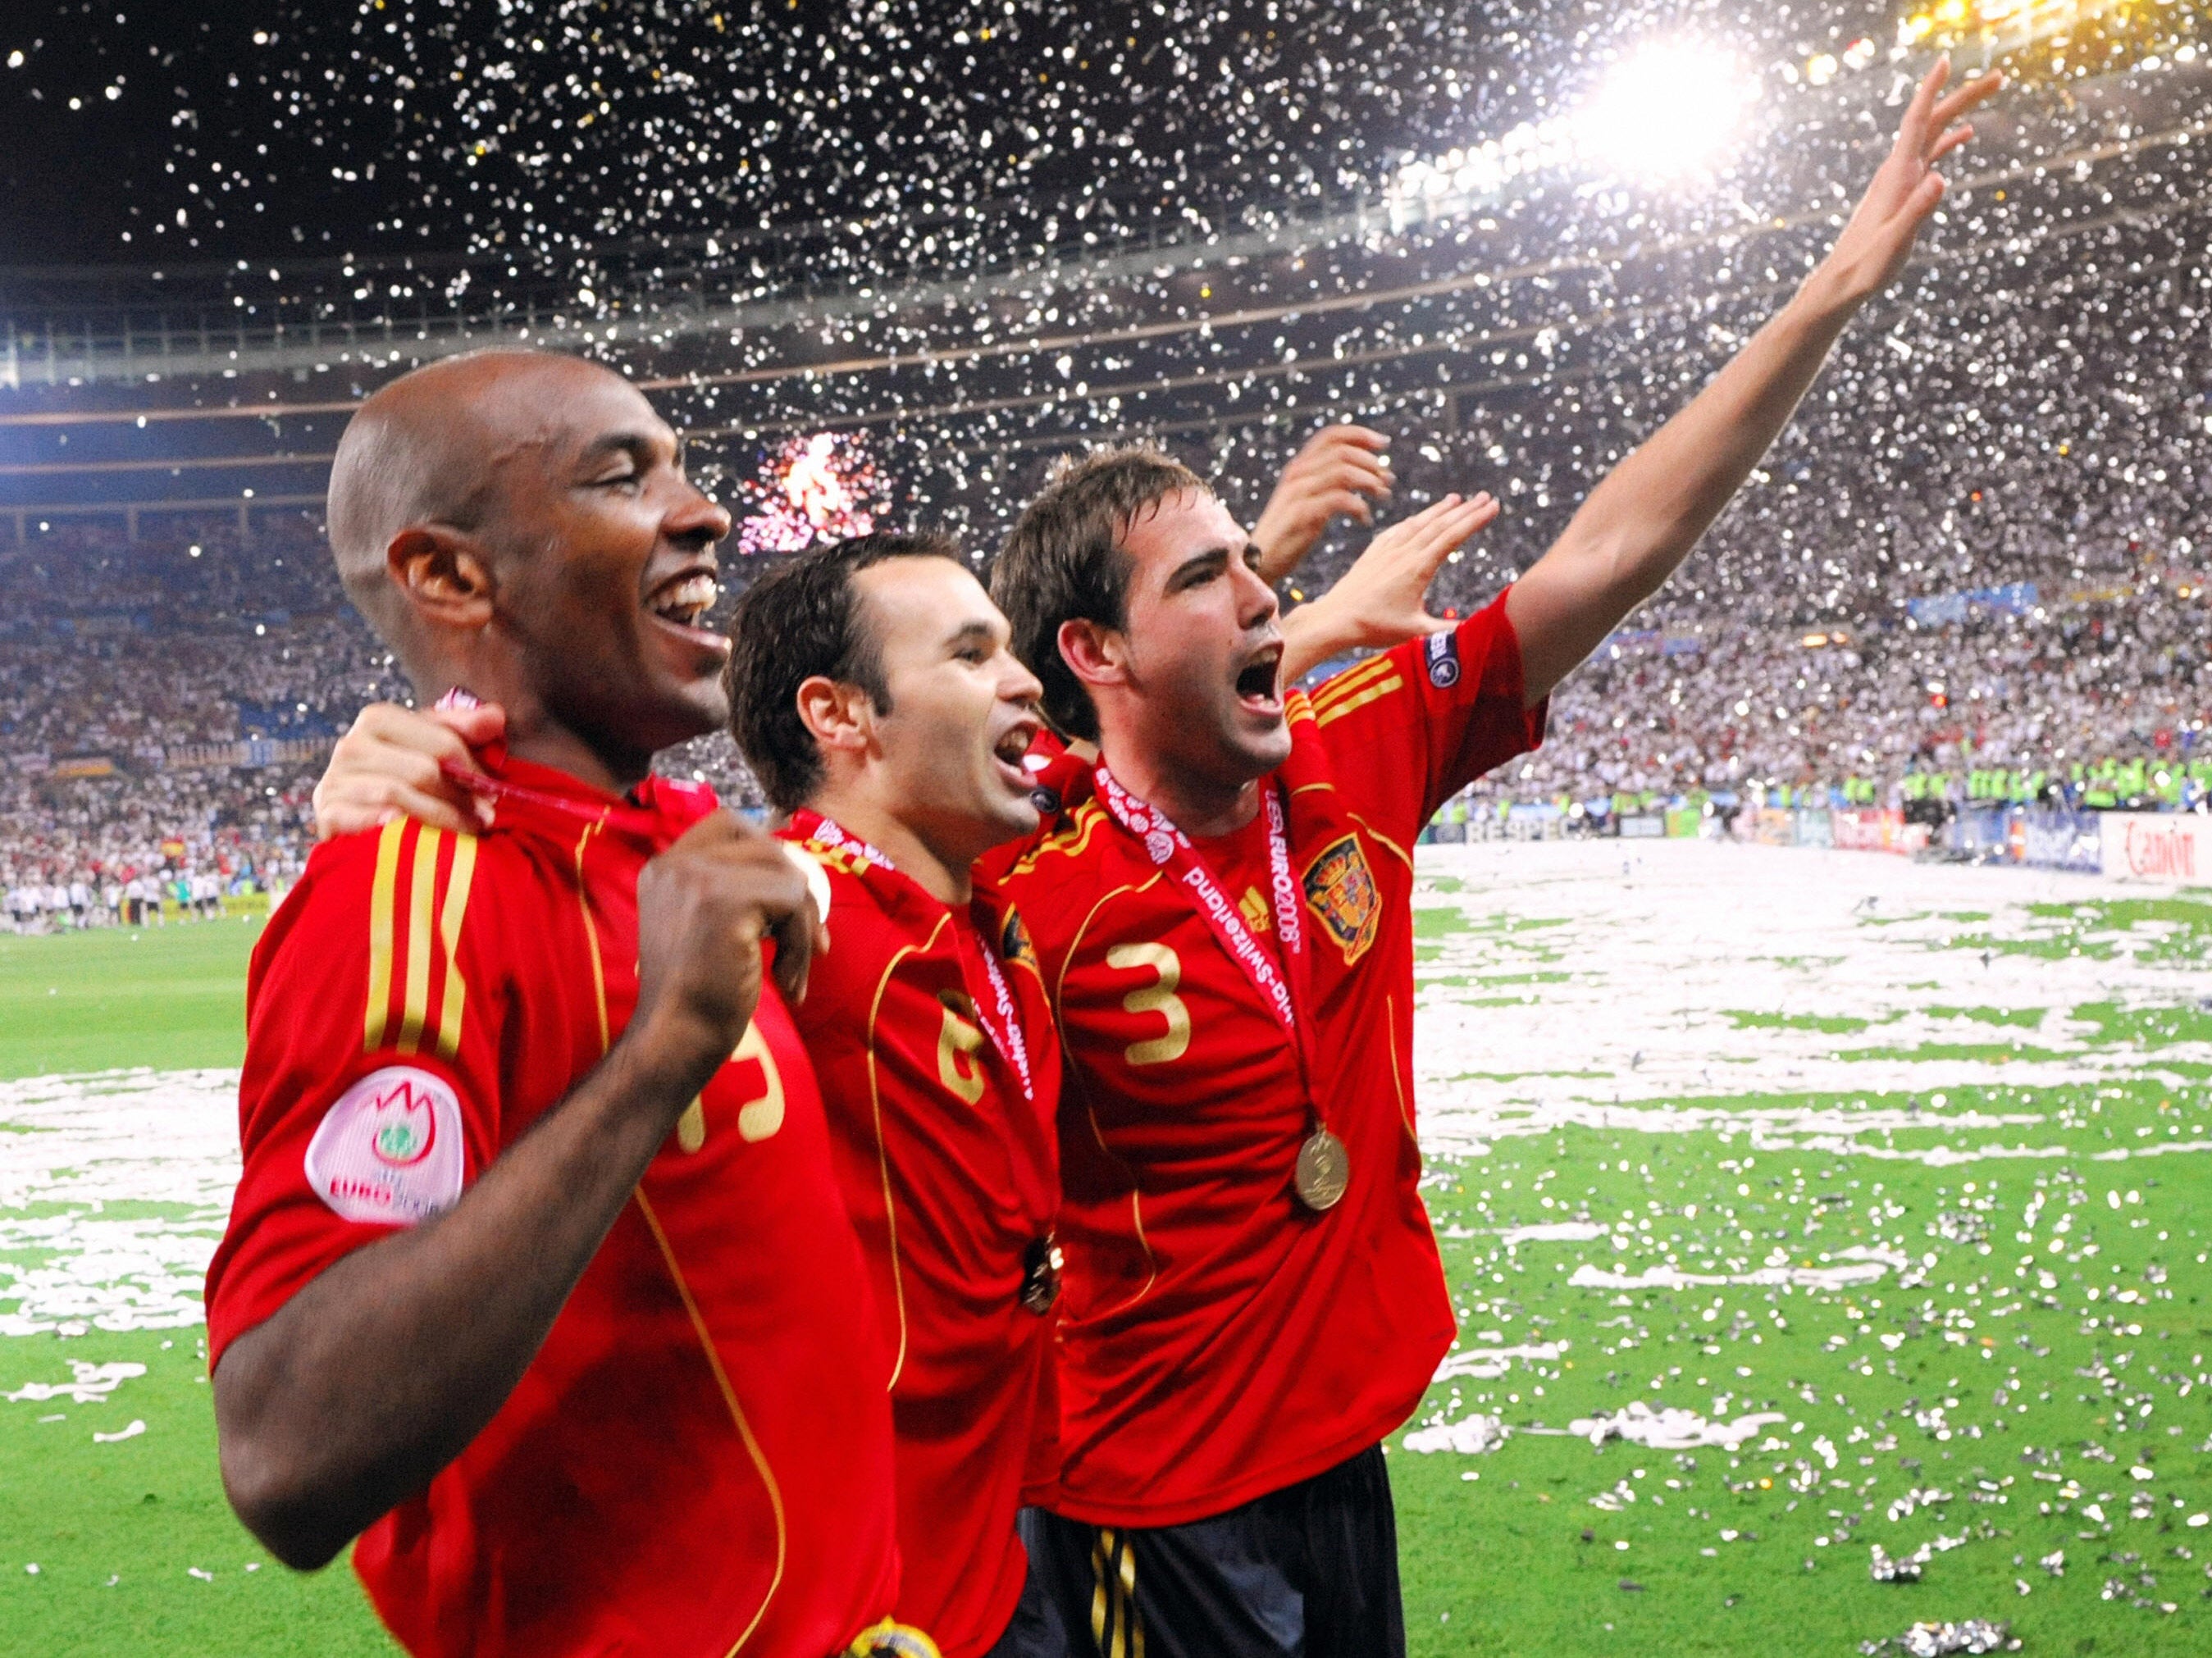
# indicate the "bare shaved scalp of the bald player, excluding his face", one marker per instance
pixel 435 450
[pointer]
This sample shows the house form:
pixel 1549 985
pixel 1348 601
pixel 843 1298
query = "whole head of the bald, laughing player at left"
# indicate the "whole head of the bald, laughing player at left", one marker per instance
pixel 521 525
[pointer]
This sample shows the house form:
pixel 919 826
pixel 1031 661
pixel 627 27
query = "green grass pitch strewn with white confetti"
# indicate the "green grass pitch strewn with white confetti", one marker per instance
pixel 1901 1162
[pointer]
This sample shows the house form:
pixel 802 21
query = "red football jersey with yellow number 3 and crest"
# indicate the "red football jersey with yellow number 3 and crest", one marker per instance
pixel 1218 1339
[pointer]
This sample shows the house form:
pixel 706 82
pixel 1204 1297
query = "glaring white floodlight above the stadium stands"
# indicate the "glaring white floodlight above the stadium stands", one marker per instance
pixel 1669 112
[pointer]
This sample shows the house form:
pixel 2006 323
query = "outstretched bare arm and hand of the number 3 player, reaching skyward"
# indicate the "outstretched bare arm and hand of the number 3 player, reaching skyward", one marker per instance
pixel 1642 523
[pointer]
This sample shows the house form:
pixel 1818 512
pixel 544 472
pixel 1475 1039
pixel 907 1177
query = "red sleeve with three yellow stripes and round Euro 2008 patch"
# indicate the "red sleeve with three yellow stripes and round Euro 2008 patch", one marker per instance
pixel 371 1087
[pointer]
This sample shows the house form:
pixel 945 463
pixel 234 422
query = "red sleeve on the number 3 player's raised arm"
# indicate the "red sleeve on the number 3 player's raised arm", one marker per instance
pixel 1415 726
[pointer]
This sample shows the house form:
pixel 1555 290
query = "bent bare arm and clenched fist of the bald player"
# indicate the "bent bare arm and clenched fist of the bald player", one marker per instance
pixel 375 1376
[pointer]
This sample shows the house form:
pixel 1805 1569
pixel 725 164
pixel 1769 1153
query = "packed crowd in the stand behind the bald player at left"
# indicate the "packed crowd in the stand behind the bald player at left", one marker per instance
pixel 165 709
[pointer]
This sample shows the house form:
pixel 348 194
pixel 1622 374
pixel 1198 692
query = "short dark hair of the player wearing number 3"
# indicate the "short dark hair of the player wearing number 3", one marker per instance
pixel 1067 560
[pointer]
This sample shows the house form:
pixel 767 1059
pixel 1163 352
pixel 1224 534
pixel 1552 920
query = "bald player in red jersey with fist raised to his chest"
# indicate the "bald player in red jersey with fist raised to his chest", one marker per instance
pixel 539 1279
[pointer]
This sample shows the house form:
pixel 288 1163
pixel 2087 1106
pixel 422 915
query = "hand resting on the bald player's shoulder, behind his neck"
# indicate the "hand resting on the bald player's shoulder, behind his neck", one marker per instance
pixel 393 764
